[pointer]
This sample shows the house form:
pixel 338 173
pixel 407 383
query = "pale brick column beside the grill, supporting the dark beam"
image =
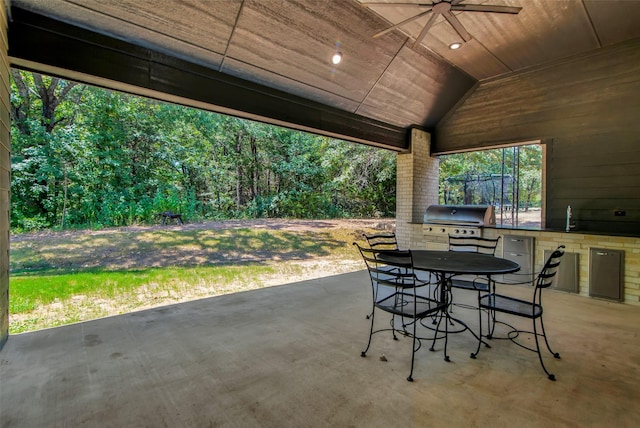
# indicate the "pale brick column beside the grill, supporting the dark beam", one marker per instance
pixel 416 189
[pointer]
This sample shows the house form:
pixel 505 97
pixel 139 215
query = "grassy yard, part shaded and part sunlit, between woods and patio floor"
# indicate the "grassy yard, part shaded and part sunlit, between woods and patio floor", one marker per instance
pixel 61 278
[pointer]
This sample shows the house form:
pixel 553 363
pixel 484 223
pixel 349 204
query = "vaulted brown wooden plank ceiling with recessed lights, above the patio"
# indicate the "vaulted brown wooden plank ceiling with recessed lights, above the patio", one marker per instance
pixel 287 45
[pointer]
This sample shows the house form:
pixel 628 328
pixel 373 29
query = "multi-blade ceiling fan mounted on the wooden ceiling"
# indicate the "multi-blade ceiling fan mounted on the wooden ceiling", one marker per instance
pixel 444 8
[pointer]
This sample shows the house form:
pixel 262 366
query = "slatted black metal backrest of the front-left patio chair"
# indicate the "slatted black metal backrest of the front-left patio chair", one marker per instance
pixel 392 268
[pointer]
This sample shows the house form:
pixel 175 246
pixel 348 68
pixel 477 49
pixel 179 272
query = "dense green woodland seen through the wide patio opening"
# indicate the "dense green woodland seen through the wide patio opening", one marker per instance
pixel 102 158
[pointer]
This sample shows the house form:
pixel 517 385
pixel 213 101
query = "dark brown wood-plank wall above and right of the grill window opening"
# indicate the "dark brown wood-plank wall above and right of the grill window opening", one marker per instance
pixel 589 106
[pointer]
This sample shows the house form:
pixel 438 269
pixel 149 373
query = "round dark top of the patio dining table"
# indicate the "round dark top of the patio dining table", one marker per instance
pixel 453 262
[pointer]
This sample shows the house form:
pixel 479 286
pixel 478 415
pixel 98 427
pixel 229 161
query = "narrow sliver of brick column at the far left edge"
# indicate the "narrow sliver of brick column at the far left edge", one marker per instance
pixel 5 175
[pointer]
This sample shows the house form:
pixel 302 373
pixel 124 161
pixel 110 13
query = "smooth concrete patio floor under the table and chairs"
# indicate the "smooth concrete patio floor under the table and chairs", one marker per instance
pixel 289 356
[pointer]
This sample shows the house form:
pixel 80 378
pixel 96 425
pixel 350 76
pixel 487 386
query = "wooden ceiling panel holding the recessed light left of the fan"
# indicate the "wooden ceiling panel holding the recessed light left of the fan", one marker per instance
pixel 297 39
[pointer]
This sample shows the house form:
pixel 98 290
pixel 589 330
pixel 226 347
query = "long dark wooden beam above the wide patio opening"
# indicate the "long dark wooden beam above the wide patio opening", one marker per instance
pixel 72 51
